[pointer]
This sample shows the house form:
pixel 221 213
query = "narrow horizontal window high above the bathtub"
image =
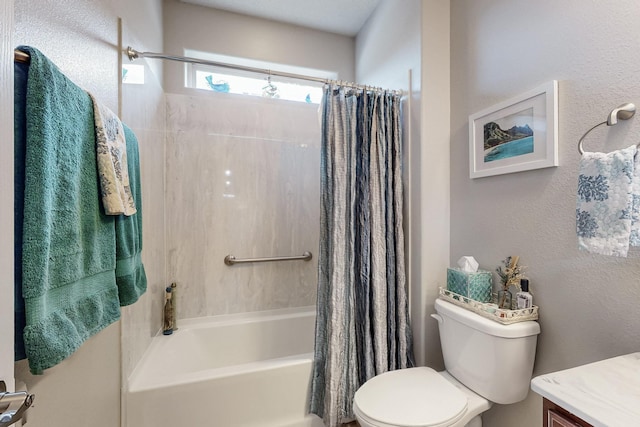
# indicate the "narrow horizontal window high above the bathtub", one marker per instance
pixel 227 80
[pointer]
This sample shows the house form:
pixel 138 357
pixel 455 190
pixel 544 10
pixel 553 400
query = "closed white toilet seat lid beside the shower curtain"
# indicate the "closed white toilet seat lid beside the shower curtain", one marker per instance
pixel 414 397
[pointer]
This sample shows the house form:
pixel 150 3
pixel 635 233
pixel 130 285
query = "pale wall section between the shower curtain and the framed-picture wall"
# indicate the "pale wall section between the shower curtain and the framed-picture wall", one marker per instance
pixel 394 42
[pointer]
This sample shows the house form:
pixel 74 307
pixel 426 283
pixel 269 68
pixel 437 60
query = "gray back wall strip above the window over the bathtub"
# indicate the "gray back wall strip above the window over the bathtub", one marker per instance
pixel 188 26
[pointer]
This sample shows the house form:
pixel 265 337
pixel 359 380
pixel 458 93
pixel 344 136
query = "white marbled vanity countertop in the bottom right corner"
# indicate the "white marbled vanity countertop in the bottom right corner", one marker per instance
pixel 604 393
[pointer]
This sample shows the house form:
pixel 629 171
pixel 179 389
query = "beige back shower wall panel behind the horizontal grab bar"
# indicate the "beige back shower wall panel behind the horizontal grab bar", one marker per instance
pixel 242 179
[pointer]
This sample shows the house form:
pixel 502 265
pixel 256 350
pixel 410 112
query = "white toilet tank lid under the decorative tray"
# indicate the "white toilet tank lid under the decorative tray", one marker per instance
pixel 482 324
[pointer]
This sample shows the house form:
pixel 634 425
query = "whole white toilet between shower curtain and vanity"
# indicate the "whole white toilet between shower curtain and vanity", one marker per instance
pixel 486 362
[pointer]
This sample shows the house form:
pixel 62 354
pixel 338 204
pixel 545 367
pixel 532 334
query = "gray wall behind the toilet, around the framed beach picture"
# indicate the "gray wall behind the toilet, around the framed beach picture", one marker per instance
pixel 500 48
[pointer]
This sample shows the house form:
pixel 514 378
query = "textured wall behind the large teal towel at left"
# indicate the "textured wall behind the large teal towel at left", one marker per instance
pixel 87 384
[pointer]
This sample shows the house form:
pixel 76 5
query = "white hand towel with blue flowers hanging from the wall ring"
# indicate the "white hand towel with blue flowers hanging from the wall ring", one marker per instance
pixel 609 202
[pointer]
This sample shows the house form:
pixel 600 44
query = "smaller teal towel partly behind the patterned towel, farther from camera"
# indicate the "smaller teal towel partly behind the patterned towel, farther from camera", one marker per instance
pixel 130 275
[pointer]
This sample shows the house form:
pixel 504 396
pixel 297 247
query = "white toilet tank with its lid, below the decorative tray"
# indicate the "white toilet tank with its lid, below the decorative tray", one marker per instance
pixel 492 359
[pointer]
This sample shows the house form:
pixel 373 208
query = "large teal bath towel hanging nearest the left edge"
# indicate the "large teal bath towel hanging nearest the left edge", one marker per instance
pixel 69 256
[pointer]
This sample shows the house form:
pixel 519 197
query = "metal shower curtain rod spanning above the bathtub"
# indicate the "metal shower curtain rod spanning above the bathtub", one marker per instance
pixel 134 54
